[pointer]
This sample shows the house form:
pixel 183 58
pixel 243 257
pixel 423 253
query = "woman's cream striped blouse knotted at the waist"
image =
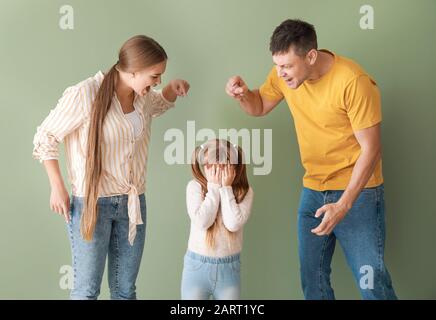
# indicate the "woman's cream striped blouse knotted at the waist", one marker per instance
pixel 124 156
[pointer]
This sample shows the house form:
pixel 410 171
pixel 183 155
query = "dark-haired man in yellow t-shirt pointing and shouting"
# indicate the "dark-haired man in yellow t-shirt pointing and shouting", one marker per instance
pixel 337 115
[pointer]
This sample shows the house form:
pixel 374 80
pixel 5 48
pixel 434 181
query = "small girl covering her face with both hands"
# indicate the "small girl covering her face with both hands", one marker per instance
pixel 219 204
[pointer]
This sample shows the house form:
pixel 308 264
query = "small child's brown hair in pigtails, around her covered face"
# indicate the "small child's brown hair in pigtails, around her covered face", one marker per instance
pixel 220 152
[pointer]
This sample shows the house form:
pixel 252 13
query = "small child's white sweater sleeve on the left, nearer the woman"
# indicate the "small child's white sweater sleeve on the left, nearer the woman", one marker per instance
pixel 202 212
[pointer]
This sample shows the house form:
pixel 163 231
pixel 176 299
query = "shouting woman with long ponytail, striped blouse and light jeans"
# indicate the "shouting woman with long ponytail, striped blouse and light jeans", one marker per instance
pixel 105 123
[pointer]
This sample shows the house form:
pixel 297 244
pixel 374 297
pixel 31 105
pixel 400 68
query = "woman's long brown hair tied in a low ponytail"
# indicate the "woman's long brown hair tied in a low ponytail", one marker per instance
pixel 136 54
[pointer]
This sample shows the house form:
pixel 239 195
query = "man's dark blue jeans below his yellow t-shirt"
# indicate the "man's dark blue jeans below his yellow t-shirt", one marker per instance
pixel 361 235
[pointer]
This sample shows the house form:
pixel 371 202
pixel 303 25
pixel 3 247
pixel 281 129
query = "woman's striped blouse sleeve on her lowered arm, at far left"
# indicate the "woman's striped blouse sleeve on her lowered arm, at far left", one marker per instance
pixel 67 116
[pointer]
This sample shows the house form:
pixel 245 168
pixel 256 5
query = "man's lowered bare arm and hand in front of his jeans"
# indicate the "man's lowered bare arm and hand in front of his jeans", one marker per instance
pixel 370 143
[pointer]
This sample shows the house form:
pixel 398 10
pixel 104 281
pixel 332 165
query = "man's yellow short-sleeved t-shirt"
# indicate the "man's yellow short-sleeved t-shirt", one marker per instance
pixel 326 111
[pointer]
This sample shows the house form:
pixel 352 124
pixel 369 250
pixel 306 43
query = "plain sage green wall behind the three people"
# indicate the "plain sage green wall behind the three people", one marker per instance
pixel 208 41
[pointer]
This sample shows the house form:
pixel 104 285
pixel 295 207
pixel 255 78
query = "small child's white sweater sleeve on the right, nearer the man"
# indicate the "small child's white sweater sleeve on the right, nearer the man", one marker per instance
pixel 235 215
